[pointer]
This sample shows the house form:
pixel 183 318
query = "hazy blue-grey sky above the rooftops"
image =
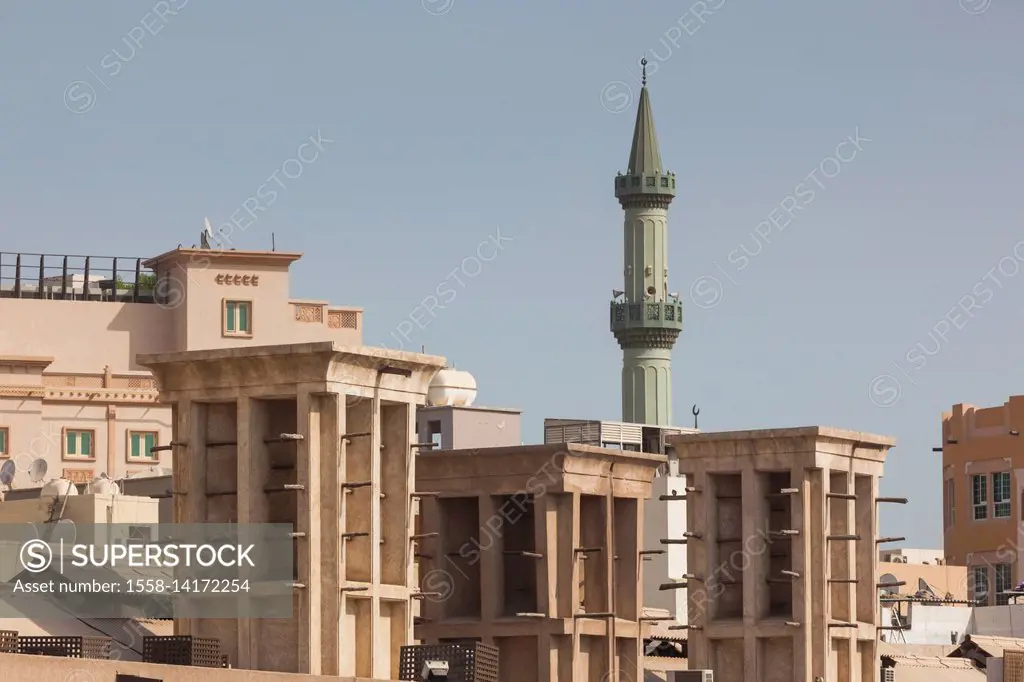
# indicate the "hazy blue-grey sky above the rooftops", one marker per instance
pixel 847 175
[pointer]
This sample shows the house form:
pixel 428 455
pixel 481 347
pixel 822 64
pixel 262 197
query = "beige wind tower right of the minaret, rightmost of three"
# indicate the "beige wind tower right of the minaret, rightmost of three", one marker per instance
pixel 783 553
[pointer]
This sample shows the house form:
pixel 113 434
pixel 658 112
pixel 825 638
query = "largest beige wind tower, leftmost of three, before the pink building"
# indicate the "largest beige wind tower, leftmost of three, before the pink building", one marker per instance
pixel 321 437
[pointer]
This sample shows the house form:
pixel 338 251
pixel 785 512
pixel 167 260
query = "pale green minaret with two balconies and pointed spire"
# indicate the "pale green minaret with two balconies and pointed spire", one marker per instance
pixel 646 318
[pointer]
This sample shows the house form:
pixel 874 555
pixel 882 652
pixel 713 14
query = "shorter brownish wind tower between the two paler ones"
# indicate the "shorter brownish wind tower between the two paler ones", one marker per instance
pixel 537 550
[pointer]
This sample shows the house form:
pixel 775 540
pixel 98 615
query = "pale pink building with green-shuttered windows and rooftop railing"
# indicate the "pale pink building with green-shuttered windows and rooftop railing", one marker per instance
pixel 71 393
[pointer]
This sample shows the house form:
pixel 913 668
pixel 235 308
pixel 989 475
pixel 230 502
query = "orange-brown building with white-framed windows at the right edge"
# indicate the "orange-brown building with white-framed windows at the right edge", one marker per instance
pixel 984 496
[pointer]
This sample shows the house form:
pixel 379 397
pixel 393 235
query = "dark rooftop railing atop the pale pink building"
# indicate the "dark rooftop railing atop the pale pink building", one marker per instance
pixel 67 278
